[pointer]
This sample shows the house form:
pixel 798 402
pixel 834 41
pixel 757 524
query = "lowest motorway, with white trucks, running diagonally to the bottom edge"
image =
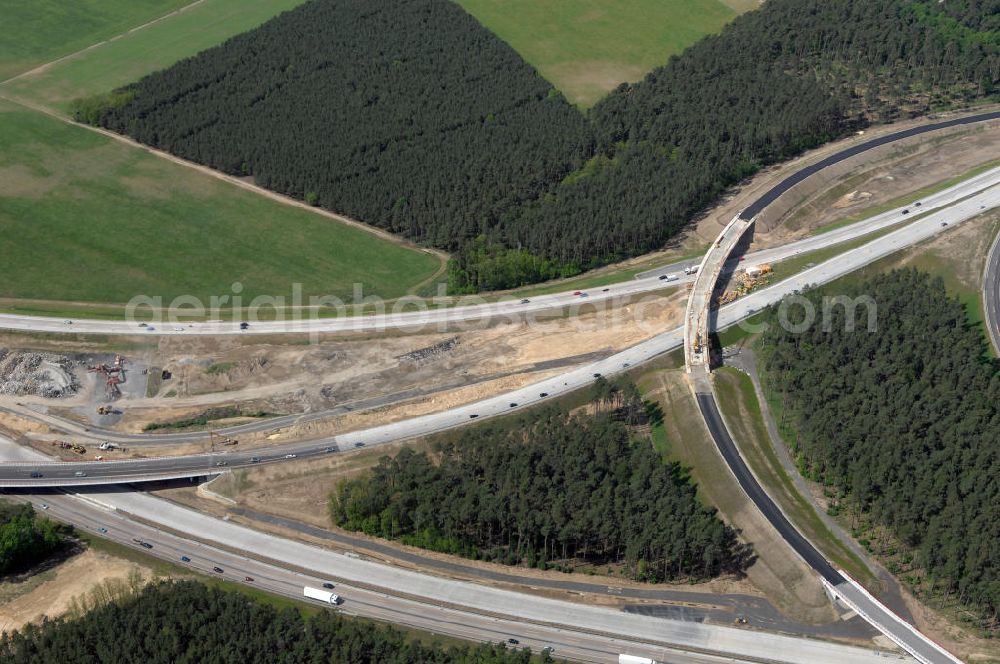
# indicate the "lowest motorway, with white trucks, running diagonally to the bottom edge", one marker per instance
pixel 580 631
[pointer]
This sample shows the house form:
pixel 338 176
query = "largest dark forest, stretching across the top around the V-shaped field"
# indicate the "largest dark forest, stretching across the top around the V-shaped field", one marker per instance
pixel 410 116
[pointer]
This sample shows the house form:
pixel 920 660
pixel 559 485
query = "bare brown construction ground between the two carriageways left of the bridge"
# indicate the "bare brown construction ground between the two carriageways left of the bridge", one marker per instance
pixel 409 374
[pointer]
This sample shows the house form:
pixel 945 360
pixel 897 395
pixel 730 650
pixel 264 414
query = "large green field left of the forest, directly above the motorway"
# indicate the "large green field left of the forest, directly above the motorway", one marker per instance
pixel 86 218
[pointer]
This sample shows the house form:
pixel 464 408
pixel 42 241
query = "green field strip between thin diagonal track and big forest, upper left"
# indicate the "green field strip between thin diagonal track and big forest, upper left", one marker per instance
pixel 144 51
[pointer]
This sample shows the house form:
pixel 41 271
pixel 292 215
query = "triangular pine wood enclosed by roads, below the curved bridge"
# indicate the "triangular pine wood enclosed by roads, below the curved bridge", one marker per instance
pixel 548 487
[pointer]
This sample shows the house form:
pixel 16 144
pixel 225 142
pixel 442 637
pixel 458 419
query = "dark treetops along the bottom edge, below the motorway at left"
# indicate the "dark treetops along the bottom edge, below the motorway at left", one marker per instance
pixel 186 621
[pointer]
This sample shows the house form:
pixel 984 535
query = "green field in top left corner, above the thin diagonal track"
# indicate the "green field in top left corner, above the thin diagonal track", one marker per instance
pixel 40 31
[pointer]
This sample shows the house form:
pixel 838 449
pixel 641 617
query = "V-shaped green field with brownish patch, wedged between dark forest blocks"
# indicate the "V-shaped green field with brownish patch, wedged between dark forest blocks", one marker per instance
pixel 587 47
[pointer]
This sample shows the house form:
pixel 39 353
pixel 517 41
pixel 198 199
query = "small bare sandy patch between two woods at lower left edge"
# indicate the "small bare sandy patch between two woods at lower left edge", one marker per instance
pixel 51 593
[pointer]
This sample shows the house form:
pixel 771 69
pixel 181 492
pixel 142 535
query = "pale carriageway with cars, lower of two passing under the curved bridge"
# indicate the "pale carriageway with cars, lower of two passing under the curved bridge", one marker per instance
pixel 65 474
